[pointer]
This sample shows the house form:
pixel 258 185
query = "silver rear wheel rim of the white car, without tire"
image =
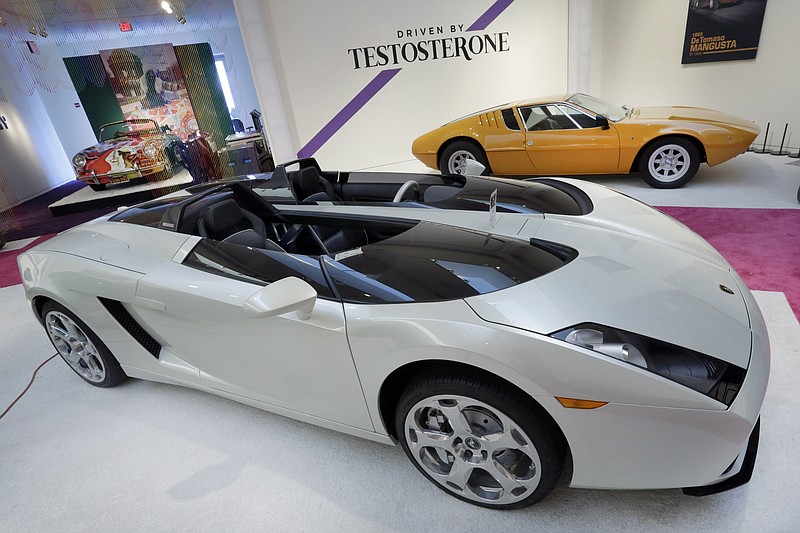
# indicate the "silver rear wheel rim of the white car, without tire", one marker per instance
pixel 75 346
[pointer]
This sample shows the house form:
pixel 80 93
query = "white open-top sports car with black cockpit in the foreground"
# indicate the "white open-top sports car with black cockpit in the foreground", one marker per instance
pixel 494 335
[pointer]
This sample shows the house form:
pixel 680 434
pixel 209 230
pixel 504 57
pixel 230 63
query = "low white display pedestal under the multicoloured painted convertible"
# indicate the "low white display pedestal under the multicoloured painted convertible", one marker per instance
pixel 85 199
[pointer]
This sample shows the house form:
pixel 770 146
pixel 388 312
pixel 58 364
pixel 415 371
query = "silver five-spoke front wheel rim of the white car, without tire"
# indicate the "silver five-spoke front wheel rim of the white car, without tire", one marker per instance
pixel 473 450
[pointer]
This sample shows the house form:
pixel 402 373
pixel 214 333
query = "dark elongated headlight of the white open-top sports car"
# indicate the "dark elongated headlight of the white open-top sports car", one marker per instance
pixel 707 375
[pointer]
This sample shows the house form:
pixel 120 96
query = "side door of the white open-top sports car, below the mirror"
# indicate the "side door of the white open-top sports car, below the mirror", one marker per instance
pixel 304 365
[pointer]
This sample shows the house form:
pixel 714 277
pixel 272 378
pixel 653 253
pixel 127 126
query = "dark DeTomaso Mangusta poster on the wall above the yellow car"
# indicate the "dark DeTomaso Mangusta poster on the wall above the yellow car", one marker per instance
pixel 722 30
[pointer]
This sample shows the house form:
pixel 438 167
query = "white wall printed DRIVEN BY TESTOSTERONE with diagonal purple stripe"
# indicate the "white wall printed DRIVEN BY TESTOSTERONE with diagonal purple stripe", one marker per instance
pixel 325 53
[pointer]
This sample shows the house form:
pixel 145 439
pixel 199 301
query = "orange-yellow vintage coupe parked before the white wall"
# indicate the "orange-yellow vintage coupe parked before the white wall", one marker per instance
pixel 578 134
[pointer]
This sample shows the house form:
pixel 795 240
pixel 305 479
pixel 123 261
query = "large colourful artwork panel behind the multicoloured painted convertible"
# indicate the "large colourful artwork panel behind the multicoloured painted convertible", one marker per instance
pixel 148 83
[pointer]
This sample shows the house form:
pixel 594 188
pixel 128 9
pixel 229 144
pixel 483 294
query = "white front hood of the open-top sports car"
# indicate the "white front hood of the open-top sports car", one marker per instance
pixel 637 270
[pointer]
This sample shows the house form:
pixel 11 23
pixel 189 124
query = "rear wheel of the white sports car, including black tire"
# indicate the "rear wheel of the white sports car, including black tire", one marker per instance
pixel 91 359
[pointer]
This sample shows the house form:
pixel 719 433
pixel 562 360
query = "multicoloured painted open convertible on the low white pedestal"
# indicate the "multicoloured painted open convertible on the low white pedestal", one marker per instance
pixel 128 149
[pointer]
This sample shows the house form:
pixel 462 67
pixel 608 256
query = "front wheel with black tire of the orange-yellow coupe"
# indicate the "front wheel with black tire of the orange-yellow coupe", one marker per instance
pixel 669 163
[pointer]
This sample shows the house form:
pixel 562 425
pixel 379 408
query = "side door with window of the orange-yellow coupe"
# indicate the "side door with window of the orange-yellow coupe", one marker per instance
pixel 560 139
